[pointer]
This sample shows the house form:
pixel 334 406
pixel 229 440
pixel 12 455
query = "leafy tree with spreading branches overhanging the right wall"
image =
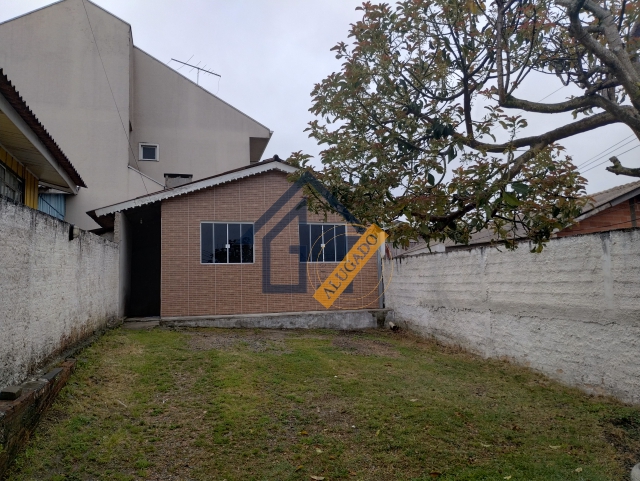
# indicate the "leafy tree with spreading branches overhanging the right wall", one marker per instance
pixel 423 128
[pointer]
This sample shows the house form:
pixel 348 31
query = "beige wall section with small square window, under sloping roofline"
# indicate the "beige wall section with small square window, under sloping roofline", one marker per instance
pixel 198 133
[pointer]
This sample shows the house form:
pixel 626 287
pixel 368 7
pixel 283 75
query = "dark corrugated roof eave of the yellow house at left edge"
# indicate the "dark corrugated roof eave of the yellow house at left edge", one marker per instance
pixel 15 140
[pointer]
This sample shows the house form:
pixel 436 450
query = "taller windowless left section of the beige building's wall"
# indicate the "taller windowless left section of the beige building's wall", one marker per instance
pixel 51 58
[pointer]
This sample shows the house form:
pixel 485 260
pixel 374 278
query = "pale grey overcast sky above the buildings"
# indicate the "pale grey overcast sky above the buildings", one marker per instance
pixel 270 53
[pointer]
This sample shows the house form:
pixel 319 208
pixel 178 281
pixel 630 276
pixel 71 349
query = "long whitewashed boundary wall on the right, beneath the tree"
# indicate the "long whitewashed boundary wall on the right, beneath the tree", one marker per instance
pixel 572 312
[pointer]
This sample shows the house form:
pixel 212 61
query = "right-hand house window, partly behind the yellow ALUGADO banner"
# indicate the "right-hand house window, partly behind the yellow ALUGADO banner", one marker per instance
pixel 323 242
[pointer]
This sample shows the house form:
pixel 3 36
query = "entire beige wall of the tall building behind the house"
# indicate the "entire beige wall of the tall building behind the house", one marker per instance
pixel 51 57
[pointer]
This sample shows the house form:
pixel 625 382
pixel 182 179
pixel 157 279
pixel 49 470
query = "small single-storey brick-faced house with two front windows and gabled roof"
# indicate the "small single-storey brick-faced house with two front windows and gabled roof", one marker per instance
pixel 241 242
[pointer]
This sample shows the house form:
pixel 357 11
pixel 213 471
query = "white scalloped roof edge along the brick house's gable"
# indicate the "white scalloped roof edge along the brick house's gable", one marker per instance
pixel 230 176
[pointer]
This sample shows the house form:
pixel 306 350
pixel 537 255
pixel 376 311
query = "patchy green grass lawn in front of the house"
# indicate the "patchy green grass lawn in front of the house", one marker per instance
pixel 303 405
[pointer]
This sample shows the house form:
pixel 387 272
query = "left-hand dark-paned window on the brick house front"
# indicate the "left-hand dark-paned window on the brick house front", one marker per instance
pixel 226 243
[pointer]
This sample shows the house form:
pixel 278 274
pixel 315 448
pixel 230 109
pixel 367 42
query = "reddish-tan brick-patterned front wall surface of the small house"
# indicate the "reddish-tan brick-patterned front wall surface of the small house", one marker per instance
pixel 190 288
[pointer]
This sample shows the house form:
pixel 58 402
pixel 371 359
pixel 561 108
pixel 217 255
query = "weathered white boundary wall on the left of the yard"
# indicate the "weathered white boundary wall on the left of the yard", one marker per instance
pixel 53 292
